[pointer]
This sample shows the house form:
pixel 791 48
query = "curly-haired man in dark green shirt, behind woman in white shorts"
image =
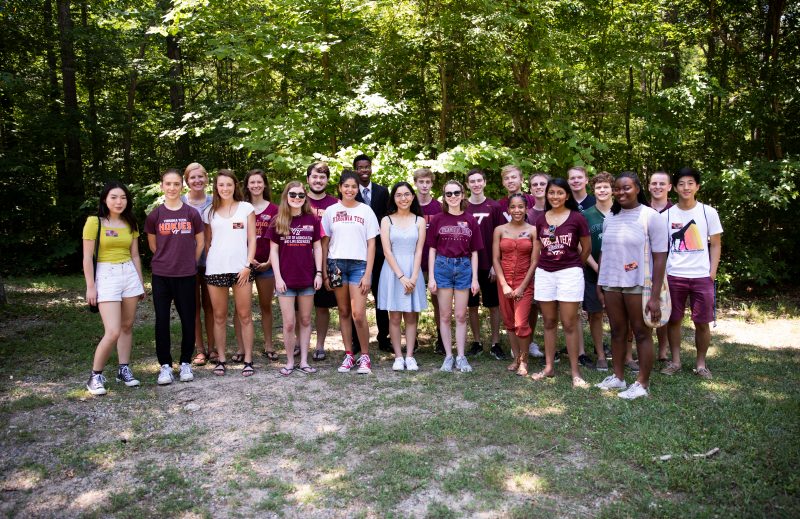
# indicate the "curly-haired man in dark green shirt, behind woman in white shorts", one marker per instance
pixel 595 215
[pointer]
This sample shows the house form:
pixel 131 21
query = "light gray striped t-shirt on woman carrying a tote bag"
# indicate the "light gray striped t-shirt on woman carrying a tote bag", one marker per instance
pixel 622 261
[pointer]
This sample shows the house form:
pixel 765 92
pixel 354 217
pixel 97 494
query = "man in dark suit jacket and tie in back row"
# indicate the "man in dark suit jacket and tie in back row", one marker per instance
pixel 377 197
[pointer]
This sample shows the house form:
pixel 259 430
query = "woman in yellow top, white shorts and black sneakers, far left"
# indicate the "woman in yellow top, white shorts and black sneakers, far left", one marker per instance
pixel 116 287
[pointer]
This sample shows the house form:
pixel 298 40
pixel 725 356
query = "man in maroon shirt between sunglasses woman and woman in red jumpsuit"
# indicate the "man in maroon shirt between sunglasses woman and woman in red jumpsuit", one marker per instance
pixel 489 215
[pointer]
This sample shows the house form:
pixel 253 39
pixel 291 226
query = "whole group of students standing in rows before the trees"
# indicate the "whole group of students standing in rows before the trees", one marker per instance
pixel 550 252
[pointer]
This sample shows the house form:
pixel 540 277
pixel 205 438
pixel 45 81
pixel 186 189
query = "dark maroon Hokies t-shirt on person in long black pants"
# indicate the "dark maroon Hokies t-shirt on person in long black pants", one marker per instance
pixel 175 233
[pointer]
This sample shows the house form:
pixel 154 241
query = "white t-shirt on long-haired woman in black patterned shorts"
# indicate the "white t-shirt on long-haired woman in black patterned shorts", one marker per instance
pixel 228 251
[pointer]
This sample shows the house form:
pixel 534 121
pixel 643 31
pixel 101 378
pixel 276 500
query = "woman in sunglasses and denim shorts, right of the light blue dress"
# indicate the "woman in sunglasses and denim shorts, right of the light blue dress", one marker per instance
pixel 454 239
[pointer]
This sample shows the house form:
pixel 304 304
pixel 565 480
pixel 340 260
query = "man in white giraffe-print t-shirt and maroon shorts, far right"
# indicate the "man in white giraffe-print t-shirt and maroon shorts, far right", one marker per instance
pixel 695 244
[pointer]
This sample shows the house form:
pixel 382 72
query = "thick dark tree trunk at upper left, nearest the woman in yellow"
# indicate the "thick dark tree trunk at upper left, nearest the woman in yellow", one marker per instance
pixel 70 185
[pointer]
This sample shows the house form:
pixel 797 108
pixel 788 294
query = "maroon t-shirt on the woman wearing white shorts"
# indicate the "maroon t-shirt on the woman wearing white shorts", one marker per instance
pixel 561 252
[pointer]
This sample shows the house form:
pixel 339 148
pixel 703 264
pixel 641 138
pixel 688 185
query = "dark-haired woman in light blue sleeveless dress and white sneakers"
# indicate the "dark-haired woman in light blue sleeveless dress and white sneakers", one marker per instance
pixel 399 292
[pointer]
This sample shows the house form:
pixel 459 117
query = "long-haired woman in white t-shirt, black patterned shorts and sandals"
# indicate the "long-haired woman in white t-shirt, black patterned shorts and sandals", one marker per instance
pixel 230 250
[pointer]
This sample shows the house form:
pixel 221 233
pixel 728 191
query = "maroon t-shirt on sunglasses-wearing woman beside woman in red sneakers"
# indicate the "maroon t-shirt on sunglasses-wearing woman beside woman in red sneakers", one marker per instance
pixel 296 250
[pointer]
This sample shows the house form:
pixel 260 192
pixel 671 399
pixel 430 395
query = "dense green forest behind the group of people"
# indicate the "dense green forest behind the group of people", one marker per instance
pixel 122 89
